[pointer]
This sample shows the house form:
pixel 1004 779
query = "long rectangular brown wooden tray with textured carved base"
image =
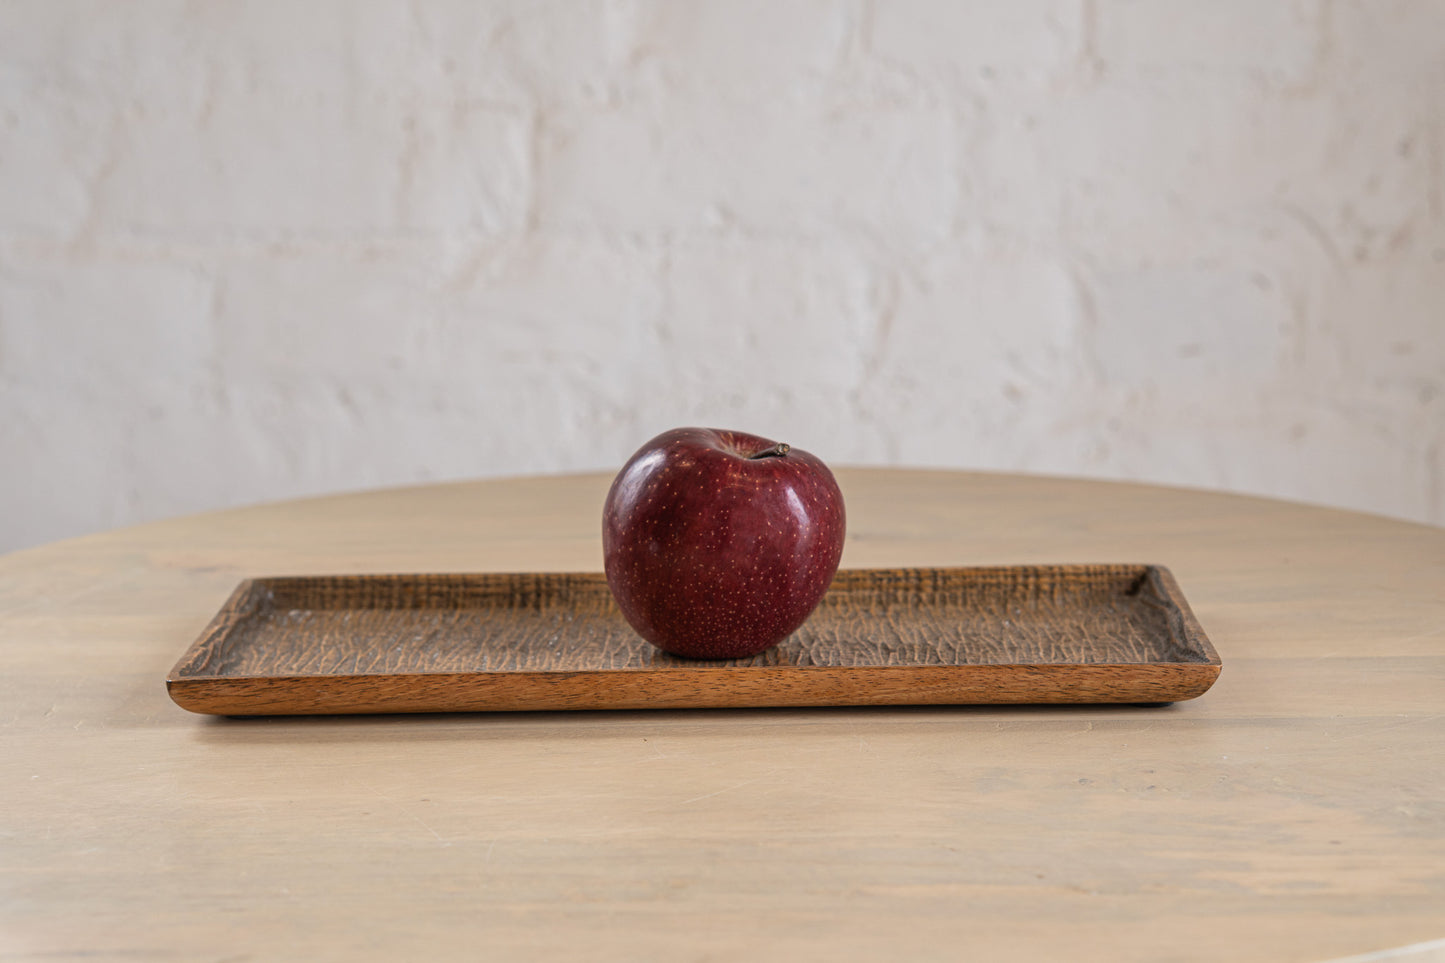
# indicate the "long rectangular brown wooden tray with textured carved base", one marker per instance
pixel 414 644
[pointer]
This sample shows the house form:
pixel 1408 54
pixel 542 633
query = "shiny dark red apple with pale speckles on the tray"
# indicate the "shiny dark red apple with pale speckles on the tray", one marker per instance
pixel 719 544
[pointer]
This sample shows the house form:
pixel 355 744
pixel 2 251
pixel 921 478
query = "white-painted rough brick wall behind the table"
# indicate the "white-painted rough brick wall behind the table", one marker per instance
pixel 271 249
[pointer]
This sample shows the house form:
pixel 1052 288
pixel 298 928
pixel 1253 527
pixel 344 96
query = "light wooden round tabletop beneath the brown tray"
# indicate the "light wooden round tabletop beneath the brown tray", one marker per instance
pixel 1297 812
